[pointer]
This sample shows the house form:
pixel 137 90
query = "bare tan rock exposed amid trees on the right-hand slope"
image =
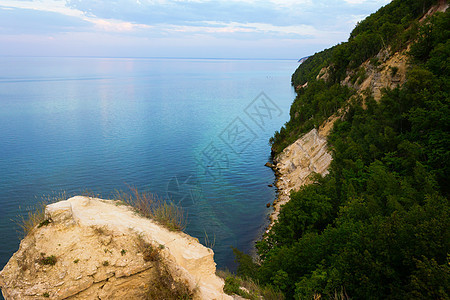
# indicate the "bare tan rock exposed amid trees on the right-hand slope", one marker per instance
pixel 309 154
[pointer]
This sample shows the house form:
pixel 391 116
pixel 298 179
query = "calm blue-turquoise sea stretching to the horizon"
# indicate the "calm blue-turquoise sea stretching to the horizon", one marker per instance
pixel 195 131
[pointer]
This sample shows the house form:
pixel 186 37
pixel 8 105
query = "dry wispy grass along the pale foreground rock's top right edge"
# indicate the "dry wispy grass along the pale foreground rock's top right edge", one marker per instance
pixel 150 206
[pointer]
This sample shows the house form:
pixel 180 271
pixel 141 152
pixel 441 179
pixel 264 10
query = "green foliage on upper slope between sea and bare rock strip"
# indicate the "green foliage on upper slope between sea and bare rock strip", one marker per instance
pixel 392 27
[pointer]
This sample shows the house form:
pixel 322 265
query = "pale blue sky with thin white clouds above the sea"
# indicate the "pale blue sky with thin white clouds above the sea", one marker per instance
pixel 280 29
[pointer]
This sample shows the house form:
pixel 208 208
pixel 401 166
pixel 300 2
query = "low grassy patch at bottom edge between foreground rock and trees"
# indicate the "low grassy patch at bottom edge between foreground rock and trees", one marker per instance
pixel 247 288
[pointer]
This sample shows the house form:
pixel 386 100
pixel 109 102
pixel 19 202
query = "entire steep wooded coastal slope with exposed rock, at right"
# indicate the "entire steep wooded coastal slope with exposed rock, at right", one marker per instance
pixel 375 222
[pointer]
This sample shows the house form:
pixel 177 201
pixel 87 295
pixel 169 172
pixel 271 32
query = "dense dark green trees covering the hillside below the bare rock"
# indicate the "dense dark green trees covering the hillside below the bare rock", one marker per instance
pixel 378 225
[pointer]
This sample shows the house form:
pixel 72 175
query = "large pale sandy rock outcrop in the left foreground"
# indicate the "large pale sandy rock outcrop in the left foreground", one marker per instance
pixel 100 249
